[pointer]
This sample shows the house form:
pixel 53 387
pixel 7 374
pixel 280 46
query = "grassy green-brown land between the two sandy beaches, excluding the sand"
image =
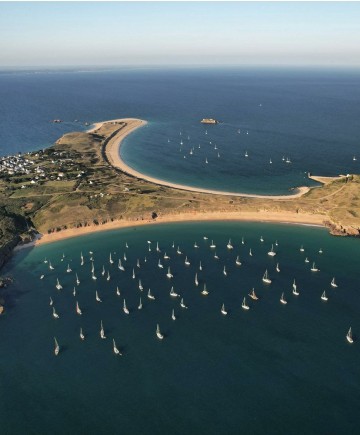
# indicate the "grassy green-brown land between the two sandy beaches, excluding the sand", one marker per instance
pixel 77 187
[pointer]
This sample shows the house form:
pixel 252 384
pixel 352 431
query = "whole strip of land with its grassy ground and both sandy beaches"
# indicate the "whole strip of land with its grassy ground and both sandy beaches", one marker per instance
pixel 80 184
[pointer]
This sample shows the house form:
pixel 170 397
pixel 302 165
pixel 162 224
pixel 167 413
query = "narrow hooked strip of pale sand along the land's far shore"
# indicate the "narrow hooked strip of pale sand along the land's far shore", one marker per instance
pixel 113 155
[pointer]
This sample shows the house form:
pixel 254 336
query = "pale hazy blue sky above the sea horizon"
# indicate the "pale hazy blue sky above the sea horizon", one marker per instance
pixel 55 34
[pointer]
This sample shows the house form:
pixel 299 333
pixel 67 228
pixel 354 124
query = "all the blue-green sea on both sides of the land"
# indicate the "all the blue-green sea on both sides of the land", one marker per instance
pixel 272 369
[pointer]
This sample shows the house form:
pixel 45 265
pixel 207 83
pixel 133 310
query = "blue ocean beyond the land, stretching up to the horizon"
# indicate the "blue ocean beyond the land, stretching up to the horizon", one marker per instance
pixel 309 117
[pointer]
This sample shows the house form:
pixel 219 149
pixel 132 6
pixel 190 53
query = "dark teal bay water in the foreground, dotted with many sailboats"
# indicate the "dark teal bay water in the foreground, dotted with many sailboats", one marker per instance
pixel 275 369
